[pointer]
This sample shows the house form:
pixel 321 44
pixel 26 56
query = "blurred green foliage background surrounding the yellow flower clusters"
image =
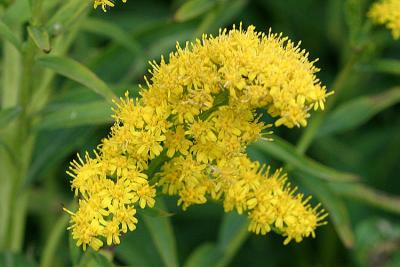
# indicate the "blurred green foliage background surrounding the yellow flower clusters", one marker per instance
pixel 62 62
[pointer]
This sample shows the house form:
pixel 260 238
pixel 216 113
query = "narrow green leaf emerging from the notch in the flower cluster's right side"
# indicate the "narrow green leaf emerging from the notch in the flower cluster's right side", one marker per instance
pixel 286 152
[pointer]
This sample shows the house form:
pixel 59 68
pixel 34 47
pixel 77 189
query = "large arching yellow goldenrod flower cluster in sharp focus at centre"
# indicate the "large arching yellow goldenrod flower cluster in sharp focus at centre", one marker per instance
pixel 191 126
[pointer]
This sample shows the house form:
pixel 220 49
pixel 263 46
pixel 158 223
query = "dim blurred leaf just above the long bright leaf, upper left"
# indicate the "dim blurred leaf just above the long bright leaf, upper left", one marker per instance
pixel 112 31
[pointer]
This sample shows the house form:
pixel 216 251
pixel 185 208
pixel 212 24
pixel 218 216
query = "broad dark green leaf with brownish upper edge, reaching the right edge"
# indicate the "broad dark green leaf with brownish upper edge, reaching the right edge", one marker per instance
pixel 358 111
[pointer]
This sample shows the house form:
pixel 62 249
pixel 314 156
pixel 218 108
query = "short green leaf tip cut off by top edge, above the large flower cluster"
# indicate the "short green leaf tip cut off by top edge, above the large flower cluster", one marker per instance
pixel 192 9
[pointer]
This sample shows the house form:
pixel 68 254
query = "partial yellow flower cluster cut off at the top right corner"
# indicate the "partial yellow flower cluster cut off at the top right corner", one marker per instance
pixel 387 12
